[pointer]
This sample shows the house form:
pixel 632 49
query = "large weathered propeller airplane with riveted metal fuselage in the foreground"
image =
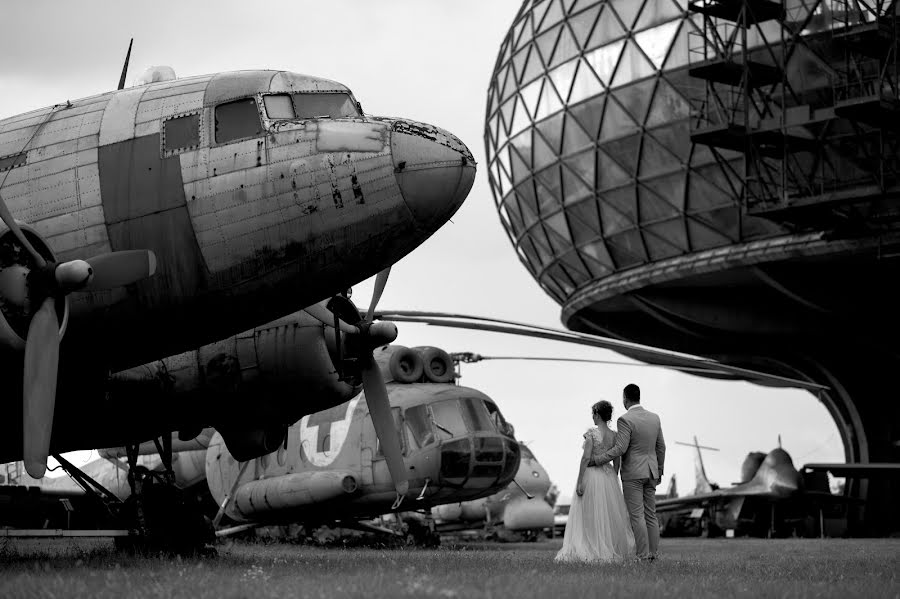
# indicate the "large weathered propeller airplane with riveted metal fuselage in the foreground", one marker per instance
pixel 147 221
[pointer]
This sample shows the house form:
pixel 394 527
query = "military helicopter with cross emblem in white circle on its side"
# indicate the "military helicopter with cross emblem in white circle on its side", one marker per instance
pixel 453 441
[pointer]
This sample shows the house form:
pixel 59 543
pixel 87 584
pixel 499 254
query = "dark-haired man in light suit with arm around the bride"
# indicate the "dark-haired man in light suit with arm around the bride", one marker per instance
pixel 640 442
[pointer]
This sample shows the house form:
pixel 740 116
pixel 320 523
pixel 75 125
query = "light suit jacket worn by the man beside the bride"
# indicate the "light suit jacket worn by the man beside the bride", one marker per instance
pixel 640 442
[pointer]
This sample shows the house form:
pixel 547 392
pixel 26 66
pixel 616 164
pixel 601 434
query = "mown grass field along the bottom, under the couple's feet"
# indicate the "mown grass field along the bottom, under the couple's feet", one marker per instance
pixel 688 568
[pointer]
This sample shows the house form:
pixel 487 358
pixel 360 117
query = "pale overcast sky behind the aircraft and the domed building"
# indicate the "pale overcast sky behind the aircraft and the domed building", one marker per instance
pixel 431 61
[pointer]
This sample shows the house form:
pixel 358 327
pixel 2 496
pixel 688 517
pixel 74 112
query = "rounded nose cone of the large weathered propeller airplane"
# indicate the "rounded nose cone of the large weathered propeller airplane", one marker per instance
pixel 434 169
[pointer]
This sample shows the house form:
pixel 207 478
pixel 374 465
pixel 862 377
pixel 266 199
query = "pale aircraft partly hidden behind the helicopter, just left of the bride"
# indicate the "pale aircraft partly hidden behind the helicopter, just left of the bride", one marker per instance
pixel 520 508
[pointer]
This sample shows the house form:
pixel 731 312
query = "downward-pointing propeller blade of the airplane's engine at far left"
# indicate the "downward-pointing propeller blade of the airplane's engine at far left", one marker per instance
pixel 39 388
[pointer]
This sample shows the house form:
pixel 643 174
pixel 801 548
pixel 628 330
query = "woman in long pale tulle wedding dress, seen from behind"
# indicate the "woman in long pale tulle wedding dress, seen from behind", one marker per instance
pixel 598 528
